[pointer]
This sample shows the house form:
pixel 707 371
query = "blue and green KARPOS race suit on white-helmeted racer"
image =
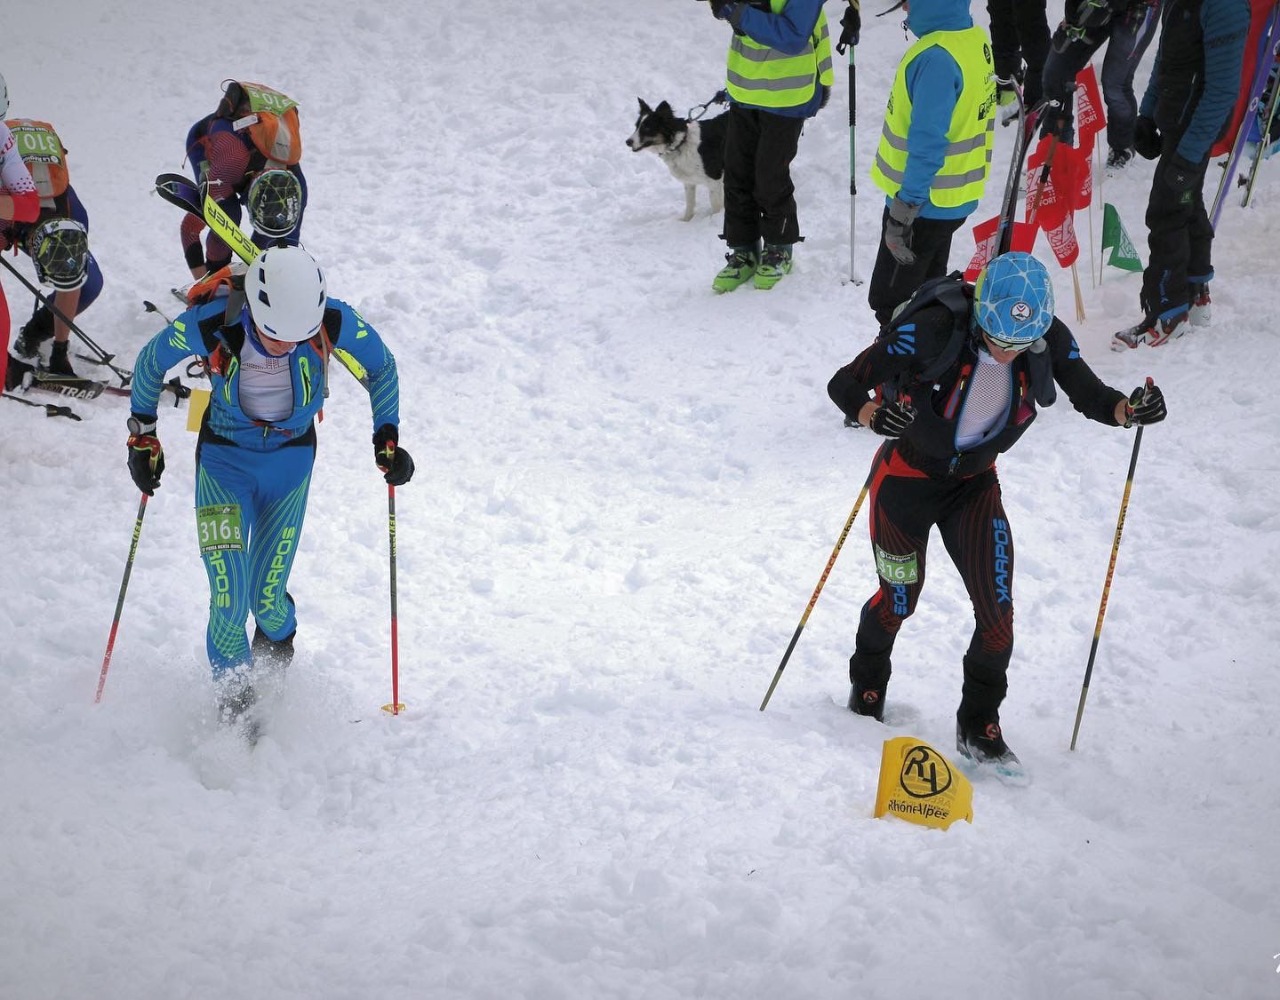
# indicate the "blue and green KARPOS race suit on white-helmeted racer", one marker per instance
pixel 253 477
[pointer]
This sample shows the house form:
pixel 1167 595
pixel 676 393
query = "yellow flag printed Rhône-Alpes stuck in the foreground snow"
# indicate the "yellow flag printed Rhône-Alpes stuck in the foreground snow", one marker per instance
pixel 920 786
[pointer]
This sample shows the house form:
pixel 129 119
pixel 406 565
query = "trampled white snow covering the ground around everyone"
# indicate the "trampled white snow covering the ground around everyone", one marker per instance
pixel 627 491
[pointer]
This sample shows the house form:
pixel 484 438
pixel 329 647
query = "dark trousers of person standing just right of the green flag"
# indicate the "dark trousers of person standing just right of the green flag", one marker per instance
pixel 1180 236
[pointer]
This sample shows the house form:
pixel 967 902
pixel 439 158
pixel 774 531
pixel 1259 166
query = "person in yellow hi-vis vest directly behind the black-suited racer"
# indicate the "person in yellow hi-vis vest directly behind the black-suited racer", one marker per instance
pixel 935 150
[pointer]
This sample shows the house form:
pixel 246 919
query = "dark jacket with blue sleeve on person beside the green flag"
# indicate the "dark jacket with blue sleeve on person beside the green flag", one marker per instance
pixel 1196 79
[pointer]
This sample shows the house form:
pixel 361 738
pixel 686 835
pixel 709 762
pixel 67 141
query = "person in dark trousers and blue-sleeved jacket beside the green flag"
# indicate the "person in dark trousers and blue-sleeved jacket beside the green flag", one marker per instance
pixel 1188 104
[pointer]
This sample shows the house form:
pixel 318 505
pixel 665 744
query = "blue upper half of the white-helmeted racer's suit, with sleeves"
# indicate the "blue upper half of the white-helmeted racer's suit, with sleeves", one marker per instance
pixel 199 332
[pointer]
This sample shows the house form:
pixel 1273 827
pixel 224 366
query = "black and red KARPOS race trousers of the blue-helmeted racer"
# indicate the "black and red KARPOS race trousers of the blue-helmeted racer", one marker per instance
pixel 970 515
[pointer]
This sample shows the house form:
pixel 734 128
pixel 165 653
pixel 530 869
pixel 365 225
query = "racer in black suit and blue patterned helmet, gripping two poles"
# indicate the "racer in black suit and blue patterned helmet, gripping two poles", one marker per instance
pixel 948 422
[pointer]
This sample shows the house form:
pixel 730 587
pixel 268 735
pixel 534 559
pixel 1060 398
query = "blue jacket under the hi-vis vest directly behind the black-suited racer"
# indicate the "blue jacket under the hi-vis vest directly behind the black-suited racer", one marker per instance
pixel 935 81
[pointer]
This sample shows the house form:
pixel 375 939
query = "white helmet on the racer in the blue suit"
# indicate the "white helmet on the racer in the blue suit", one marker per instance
pixel 286 294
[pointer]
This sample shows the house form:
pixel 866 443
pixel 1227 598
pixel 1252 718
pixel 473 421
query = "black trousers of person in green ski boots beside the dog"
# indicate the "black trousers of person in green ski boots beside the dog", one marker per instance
pixel 760 197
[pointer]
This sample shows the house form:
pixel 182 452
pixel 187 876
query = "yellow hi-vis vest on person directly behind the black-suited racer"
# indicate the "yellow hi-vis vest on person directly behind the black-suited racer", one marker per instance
pixel 970 136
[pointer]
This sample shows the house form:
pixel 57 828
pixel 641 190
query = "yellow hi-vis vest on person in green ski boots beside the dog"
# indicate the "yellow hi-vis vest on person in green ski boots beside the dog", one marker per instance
pixel 767 79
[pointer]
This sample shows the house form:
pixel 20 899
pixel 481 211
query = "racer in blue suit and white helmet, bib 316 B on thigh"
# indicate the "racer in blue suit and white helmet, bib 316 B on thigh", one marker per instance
pixel 267 353
